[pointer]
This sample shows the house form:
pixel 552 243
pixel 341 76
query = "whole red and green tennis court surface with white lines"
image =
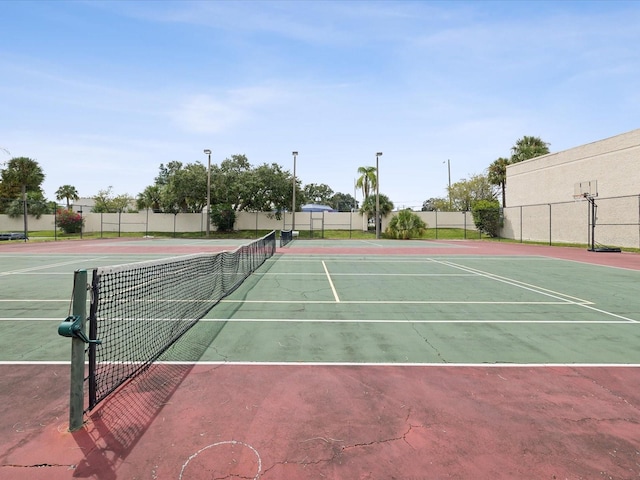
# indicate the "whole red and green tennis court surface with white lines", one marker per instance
pixel 342 359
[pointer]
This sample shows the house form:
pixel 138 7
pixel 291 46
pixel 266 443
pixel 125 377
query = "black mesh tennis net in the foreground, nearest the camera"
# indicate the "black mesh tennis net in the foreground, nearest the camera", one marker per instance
pixel 139 310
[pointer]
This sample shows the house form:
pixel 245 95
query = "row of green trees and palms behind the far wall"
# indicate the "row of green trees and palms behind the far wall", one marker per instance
pixel 237 185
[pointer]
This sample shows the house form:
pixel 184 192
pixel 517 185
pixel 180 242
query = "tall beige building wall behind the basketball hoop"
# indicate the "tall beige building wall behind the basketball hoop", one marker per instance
pixel 539 194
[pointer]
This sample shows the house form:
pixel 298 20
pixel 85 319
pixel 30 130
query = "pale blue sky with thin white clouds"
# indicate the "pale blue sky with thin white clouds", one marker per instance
pixel 101 93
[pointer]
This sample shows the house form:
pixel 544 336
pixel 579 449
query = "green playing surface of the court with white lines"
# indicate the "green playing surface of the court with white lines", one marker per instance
pixel 366 309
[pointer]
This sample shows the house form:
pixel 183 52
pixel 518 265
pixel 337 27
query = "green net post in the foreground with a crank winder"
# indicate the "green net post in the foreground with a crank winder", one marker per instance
pixel 76 396
